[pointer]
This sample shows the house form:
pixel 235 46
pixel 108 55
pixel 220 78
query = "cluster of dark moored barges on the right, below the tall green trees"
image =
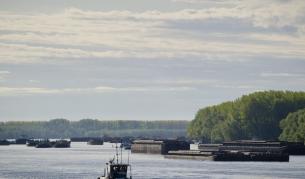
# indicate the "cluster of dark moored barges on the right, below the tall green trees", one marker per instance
pixel 242 150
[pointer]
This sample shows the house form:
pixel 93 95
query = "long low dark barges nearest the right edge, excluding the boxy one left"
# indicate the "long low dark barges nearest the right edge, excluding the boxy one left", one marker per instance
pixel 242 150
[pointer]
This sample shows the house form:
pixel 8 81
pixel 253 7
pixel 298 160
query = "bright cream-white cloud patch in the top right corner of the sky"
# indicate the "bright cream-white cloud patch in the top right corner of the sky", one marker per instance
pixel 266 13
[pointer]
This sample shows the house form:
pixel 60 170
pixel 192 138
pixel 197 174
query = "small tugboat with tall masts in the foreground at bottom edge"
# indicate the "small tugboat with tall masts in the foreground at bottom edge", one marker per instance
pixel 116 170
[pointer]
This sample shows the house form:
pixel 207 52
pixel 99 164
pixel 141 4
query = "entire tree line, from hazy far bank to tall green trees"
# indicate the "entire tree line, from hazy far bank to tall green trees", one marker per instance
pixel 268 115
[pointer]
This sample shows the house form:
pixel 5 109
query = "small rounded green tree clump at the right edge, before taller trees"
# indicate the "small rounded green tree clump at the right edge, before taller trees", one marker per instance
pixel 294 127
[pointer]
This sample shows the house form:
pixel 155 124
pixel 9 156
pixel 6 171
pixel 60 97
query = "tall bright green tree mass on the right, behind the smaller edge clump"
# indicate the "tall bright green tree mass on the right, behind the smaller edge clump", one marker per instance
pixel 254 116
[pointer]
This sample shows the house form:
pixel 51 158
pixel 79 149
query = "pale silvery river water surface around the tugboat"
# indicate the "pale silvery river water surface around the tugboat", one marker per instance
pixel 87 161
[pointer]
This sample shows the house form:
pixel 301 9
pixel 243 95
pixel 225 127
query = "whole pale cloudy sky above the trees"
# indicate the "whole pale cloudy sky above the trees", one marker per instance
pixel 144 59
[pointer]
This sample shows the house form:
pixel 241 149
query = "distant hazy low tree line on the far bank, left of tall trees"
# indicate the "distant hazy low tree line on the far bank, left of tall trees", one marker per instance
pixel 62 128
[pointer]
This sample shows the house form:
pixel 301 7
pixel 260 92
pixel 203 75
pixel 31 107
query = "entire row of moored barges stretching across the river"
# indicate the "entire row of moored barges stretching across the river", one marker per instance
pixel 240 150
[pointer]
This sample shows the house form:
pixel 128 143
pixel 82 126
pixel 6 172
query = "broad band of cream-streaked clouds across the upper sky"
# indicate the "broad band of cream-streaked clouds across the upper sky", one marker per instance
pixel 271 28
